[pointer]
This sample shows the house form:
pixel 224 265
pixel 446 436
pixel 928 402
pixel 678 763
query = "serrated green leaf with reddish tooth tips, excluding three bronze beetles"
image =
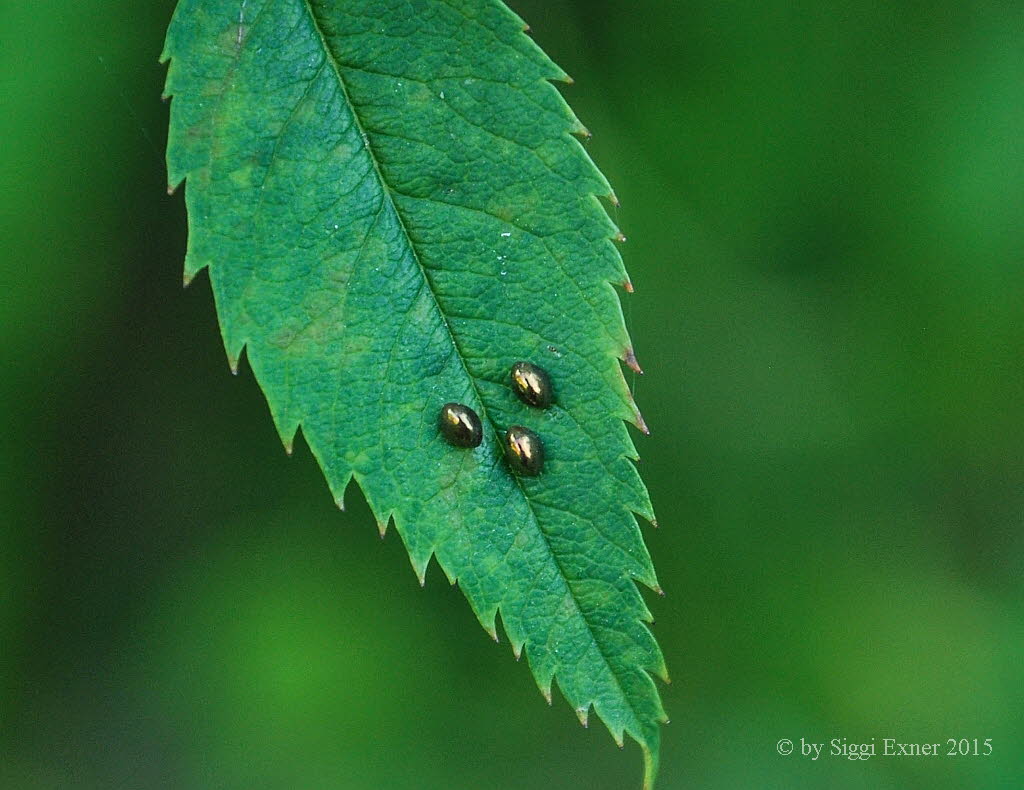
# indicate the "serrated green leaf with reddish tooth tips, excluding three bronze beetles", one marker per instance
pixel 394 211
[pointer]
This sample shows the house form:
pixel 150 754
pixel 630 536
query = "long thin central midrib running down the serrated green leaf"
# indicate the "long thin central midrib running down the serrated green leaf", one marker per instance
pixel 387 189
